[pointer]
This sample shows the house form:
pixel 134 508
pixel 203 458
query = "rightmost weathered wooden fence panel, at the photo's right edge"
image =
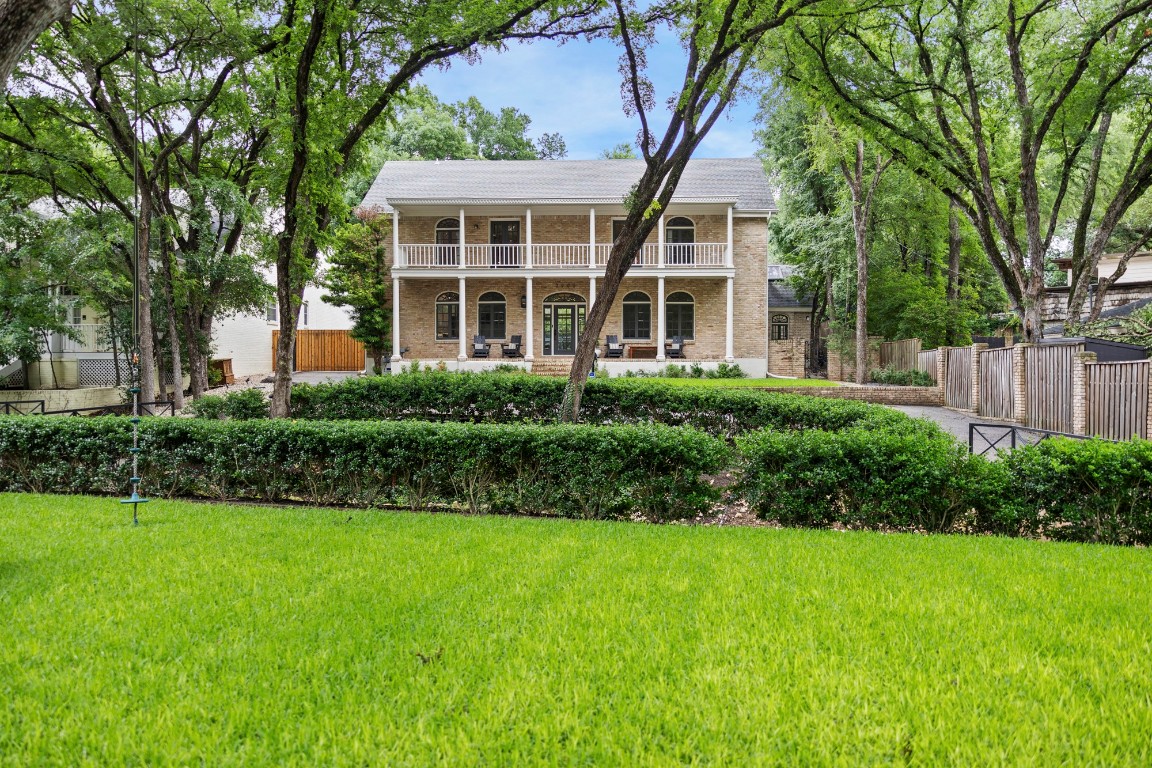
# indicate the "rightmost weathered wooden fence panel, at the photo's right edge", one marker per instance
pixel 1118 400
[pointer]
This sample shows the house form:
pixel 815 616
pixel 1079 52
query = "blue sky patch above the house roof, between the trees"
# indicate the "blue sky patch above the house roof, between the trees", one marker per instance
pixel 574 90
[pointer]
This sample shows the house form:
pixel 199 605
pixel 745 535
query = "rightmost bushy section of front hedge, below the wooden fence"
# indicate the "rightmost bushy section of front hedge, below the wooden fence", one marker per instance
pixel 1083 491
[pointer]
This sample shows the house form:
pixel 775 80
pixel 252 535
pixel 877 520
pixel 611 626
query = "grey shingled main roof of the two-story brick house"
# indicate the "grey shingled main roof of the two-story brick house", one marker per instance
pixel 740 181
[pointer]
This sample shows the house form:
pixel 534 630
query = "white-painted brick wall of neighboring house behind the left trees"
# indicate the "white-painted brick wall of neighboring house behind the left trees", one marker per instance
pixel 247 339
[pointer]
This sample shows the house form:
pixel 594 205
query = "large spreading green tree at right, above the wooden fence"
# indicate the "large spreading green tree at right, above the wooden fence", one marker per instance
pixel 1013 110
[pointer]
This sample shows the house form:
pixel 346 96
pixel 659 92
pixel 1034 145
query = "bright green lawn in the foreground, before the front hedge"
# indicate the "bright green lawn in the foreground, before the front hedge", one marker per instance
pixel 236 636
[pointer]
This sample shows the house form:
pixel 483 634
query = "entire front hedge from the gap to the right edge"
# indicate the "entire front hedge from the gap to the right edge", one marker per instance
pixel 885 480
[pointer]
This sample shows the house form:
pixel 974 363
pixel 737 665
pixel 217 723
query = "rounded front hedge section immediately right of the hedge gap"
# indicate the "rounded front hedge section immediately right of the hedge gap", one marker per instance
pixel 866 478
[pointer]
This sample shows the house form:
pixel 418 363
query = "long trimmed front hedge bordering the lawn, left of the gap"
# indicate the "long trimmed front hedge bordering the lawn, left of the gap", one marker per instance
pixel 572 472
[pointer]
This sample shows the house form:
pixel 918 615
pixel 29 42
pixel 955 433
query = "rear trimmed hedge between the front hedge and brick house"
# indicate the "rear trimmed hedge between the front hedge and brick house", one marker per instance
pixel 509 399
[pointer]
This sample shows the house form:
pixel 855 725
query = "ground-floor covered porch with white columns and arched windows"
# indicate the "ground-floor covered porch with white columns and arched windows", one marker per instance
pixel 528 320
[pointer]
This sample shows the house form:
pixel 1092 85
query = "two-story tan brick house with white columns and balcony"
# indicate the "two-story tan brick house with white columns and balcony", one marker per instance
pixel 518 249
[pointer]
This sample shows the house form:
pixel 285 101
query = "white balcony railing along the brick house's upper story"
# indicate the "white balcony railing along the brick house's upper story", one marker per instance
pixel 557 255
